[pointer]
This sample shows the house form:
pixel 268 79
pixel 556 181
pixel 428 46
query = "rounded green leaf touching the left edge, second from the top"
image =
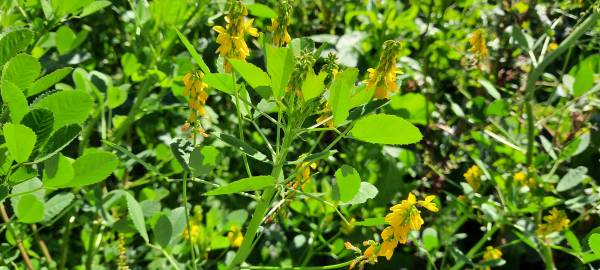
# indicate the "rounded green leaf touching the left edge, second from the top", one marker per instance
pixel 21 70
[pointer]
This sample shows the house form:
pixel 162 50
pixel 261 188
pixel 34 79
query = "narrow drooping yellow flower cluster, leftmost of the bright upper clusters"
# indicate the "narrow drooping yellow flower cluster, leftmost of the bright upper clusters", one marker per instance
pixel 195 90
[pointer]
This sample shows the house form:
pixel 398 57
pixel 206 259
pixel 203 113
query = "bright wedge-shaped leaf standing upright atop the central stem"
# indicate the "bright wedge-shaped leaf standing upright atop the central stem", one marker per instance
pixel 280 64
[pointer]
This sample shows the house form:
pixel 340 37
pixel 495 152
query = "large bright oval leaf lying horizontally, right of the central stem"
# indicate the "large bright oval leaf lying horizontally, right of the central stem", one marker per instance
pixel 385 129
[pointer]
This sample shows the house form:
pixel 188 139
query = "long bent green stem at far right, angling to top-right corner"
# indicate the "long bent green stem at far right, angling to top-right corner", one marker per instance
pixel 539 70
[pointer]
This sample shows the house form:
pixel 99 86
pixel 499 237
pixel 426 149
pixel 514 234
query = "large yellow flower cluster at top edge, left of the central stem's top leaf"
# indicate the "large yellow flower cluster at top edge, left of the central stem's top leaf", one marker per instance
pixel 231 37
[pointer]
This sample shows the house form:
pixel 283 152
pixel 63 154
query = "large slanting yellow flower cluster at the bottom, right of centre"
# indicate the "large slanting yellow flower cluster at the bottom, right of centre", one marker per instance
pixel 404 218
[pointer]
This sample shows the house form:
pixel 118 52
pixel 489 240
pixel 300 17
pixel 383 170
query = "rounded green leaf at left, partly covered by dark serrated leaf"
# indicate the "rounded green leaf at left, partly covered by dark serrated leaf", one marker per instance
pixel 68 107
